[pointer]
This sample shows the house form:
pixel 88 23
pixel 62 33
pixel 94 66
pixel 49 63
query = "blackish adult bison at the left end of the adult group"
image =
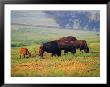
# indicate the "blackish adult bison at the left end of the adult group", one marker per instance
pixel 50 47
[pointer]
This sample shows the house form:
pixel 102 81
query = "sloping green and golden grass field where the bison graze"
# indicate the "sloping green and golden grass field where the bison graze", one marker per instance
pixel 68 65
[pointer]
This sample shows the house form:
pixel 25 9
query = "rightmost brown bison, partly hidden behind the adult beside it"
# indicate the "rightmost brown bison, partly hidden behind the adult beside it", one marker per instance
pixel 81 44
